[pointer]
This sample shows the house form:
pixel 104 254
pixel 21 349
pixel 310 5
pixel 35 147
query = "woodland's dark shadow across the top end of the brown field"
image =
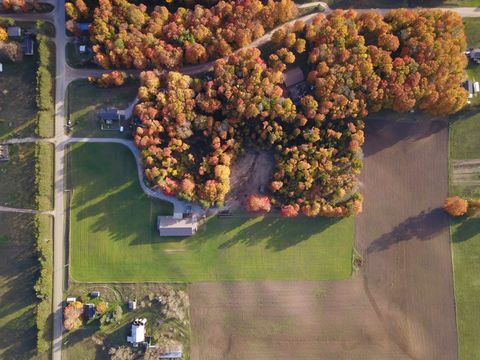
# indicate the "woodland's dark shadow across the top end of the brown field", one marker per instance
pixel 381 132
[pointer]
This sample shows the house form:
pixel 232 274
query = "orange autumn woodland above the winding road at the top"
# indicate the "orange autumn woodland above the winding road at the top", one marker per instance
pixel 125 35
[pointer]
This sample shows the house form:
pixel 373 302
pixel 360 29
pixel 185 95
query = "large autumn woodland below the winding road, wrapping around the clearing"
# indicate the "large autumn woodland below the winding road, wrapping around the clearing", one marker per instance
pixel 193 128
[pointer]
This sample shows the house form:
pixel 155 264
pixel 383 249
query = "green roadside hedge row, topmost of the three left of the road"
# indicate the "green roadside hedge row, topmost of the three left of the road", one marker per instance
pixel 45 96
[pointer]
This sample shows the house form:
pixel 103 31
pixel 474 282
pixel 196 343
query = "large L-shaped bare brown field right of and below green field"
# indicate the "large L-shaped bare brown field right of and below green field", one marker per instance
pixel 400 306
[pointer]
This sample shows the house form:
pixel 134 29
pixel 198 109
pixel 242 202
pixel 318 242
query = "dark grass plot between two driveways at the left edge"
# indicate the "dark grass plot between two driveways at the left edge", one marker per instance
pixel 17 177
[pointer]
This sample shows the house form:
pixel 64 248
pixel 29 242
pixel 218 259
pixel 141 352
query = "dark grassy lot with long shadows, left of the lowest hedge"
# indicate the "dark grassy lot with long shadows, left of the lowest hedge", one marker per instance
pixel 18 272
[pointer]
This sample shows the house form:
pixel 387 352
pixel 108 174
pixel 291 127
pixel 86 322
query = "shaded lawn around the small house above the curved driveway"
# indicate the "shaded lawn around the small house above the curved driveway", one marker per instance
pixel 86 100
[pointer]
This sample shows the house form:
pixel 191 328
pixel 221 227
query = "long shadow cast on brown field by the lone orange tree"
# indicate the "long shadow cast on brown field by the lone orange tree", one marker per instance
pixel 423 226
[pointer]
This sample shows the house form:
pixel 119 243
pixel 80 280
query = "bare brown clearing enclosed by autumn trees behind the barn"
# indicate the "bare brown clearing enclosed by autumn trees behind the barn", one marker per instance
pixel 249 174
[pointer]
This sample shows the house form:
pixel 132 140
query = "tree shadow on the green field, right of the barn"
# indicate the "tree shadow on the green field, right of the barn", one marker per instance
pixel 279 233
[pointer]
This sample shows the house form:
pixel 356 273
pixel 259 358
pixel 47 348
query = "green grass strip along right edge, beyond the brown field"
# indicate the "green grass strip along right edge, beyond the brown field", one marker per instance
pixel 464 145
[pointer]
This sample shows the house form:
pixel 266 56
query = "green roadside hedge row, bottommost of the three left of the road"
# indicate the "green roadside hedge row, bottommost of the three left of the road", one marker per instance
pixel 43 286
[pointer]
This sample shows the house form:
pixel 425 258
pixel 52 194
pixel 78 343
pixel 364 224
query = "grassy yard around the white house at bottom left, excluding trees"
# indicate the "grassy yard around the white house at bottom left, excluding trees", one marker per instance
pixel 93 340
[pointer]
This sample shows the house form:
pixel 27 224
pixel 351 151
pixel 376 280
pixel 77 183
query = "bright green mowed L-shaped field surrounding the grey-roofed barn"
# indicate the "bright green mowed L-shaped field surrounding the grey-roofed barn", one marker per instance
pixel 113 235
